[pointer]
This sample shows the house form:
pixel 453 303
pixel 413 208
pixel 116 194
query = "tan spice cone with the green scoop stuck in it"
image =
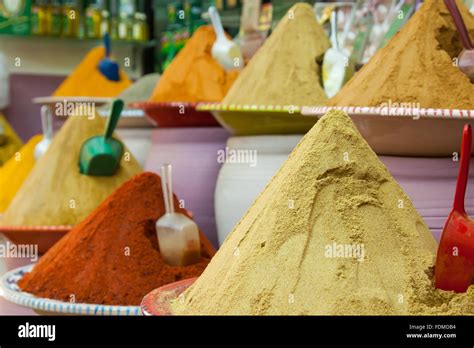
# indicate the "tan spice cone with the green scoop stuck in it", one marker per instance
pixel 55 192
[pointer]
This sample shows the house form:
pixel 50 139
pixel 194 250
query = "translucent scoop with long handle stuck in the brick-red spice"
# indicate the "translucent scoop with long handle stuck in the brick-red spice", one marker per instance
pixel 178 236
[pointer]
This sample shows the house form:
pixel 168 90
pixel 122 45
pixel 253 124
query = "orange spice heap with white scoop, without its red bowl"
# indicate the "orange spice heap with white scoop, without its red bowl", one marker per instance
pixel 194 75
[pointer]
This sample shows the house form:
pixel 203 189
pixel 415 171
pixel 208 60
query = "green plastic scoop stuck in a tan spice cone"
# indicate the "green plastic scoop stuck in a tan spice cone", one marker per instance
pixel 100 155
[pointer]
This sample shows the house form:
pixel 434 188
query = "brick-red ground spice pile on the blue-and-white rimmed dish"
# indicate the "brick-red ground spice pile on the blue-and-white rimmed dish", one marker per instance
pixel 112 257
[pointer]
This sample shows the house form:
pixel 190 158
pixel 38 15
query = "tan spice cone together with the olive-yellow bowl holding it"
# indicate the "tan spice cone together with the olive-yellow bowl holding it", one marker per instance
pixel 282 76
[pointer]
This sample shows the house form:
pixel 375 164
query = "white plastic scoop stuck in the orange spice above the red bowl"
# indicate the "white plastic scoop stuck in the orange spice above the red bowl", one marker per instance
pixel 225 51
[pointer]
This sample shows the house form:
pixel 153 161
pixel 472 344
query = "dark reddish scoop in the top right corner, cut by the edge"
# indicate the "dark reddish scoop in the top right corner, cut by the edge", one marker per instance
pixel 466 57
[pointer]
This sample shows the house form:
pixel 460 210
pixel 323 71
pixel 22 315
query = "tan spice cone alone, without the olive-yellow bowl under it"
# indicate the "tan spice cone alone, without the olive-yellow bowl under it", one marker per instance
pixel 286 69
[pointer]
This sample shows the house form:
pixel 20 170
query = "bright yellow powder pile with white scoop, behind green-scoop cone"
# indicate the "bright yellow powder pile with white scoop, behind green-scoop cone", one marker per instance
pixel 15 171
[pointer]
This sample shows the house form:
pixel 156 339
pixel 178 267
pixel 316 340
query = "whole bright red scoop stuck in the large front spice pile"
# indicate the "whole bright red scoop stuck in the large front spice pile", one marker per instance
pixel 455 261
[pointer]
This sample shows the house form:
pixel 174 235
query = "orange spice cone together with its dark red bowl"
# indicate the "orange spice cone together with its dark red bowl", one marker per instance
pixel 193 76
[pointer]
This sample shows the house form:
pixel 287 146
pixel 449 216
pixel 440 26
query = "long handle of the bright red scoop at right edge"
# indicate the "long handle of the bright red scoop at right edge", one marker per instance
pixel 463 170
